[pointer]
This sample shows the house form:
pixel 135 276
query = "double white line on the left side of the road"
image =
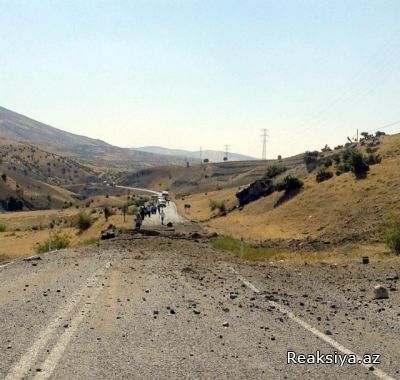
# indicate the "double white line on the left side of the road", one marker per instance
pixel 28 359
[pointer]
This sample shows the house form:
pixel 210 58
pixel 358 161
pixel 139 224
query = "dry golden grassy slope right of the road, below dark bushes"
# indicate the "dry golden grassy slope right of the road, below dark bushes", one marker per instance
pixel 340 209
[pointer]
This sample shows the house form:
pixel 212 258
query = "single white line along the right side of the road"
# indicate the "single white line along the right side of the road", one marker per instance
pixel 284 310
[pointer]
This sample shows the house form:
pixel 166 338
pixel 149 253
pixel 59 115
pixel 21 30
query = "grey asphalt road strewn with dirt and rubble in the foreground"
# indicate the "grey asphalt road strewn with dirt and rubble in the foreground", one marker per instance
pixel 143 307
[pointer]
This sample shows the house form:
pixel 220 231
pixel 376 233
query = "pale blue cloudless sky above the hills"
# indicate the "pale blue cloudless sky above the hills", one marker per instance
pixel 185 74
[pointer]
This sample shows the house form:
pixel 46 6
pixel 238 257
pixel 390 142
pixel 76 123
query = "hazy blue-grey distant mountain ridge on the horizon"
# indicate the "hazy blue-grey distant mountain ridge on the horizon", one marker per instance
pixel 212 155
